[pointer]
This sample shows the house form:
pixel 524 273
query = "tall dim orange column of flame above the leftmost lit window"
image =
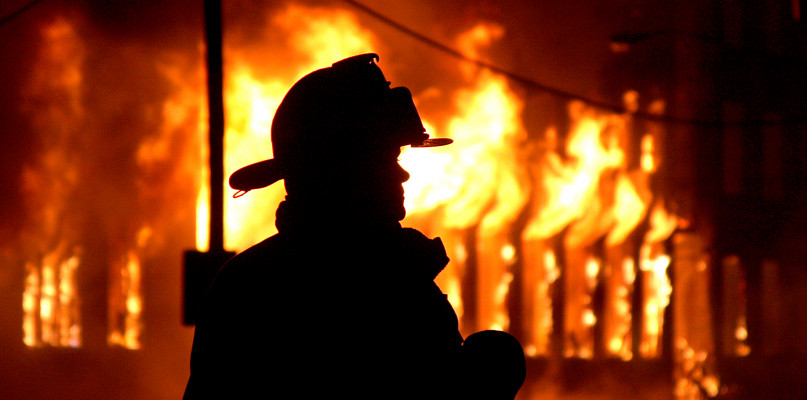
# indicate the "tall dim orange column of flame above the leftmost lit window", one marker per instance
pixel 50 302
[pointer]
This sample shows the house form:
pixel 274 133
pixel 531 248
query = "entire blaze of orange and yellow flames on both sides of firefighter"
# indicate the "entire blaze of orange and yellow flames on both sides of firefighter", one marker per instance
pixel 569 212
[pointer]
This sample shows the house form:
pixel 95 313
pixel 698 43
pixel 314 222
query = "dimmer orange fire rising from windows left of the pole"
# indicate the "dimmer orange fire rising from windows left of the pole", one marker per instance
pixel 62 234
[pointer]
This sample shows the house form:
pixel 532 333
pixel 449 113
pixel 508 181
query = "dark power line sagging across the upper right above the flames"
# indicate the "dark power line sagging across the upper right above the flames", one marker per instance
pixel 554 91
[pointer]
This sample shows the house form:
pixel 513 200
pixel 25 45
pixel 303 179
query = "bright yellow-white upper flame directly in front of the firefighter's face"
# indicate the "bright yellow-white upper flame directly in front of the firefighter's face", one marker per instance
pixel 478 169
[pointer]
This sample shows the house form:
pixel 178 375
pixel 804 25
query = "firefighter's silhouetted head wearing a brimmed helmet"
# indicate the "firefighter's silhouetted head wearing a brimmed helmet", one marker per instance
pixel 336 137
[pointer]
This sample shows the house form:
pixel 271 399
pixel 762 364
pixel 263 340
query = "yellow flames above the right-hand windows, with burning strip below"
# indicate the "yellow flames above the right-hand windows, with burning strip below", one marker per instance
pixel 571 194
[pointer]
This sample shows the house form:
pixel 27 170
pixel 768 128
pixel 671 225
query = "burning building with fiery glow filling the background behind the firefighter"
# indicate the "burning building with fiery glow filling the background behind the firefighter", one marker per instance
pixel 624 194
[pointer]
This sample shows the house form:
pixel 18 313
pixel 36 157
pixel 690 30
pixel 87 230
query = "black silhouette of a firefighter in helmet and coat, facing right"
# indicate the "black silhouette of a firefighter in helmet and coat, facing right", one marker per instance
pixel 341 303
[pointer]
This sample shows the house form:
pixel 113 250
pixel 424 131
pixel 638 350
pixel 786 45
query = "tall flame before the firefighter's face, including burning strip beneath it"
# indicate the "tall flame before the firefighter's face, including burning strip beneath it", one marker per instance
pixel 476 179
